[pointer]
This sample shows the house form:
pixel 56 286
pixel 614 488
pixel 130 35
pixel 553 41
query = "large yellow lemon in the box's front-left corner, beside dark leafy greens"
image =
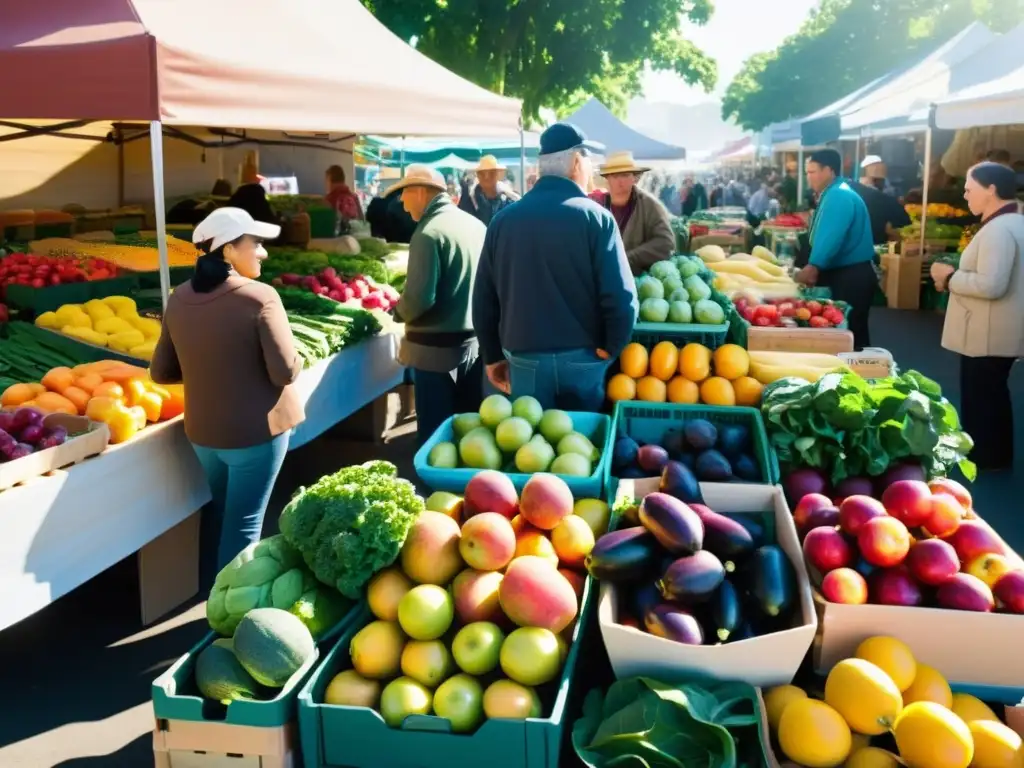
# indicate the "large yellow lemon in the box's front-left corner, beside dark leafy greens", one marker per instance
pixel 814 735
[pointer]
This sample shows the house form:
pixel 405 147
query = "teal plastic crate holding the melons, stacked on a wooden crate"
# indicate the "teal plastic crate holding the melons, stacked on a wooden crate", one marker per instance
pixel 176 697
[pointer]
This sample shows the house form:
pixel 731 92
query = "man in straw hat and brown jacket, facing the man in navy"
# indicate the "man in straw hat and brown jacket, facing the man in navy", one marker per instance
pixel 643 221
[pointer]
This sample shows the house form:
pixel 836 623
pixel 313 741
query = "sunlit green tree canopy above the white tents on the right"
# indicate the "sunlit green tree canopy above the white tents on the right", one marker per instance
pixel 844 46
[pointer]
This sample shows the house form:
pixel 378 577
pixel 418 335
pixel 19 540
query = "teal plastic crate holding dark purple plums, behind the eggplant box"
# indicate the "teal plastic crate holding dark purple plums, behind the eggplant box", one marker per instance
pixel 648 422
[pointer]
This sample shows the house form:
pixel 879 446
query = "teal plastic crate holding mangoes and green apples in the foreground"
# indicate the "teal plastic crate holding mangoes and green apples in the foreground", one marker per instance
pixel 334 737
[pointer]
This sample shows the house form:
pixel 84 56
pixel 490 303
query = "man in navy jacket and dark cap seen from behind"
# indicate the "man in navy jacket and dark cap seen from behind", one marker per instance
pixel 554 300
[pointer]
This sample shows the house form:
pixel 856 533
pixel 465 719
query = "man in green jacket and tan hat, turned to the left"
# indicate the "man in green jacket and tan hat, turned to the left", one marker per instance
pixel 440 345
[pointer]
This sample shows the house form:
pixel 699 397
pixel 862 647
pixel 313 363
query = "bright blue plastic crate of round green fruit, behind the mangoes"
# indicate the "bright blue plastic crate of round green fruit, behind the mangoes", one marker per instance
pixel 595 426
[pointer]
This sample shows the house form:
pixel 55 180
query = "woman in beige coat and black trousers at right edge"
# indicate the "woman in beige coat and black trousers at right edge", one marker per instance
pixel 986 318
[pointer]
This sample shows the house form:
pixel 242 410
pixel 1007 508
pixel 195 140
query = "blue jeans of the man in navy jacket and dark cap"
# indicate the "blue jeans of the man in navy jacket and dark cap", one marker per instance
pixel 571 380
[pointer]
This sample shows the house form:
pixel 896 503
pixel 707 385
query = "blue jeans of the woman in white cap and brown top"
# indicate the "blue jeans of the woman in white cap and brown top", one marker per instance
pixel 241 482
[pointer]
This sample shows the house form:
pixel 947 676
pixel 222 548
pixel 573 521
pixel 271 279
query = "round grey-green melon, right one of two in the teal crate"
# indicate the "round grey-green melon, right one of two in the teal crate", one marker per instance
pixel 272 646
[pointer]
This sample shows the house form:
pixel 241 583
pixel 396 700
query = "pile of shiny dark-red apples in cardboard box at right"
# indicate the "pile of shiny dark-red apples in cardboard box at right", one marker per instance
pixel 920 545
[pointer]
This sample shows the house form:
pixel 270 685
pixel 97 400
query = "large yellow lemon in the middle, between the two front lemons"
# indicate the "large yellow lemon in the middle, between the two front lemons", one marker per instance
pixel 865 696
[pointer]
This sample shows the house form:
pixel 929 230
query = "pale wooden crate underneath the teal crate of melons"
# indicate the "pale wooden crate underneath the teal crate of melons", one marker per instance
pixel 183 744
